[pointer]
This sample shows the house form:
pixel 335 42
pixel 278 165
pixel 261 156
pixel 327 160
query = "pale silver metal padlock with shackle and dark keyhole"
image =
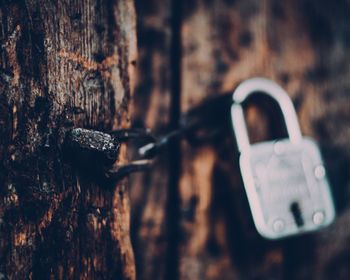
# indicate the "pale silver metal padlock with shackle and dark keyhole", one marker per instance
pixel 285 180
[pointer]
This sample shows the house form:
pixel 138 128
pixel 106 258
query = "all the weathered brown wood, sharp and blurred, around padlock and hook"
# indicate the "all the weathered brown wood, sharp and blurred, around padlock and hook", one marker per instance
pixel 70 64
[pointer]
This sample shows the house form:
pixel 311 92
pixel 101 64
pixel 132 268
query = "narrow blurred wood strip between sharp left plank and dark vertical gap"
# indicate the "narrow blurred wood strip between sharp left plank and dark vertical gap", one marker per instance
pixel 153 225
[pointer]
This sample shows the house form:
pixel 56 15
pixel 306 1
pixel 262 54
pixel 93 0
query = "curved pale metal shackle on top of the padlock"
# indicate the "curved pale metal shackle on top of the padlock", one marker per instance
pixel 270 88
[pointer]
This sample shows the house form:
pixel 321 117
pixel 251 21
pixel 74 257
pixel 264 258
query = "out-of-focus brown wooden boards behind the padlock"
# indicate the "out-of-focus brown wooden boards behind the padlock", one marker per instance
pixel 190 216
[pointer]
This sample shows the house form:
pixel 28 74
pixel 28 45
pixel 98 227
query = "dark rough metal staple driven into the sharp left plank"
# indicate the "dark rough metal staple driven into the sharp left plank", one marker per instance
pixel 97 151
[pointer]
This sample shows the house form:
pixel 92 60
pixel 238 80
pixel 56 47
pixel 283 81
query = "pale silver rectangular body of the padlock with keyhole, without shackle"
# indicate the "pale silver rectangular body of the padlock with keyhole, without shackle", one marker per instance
pixel 287 187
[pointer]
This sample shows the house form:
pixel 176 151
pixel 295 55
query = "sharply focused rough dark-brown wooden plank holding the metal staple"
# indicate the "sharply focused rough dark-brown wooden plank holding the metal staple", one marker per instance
pixel 63 64
